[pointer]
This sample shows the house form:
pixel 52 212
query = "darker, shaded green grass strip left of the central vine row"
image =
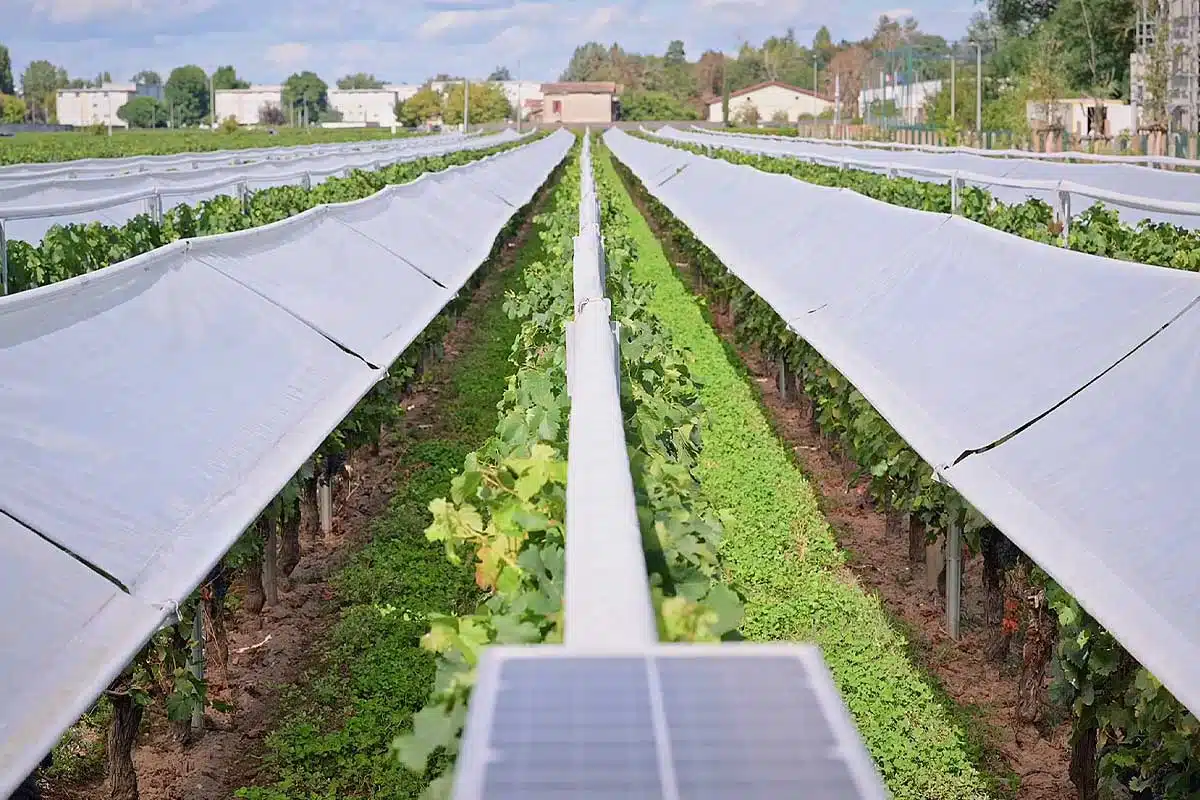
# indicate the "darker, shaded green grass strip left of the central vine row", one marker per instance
pixel 335 739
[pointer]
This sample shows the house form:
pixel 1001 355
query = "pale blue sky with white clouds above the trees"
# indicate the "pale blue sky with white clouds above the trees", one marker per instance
pixel 411 40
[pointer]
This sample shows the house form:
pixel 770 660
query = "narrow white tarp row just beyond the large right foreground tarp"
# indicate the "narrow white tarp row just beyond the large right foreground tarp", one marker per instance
pixel 992 175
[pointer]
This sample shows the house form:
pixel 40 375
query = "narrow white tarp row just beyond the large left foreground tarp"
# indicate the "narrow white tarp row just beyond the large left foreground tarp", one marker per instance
pixel 29 209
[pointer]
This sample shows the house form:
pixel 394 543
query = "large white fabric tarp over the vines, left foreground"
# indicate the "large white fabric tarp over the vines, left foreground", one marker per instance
pixel 155 407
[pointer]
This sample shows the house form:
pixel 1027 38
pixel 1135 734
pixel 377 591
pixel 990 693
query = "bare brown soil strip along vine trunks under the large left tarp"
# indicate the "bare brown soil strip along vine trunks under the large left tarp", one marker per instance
pixel 273 651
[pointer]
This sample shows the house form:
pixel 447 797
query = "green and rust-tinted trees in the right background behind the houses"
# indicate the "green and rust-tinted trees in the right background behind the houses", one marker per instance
pixel 1030 50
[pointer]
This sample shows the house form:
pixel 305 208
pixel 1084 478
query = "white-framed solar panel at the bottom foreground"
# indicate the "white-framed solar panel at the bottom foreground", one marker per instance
pixel 676 723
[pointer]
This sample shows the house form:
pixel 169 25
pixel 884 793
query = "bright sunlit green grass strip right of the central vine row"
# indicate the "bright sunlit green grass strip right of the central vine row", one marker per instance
pixel 783 556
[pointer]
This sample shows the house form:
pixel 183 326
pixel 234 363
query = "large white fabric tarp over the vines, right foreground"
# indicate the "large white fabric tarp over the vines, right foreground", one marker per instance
pixel 968 335
